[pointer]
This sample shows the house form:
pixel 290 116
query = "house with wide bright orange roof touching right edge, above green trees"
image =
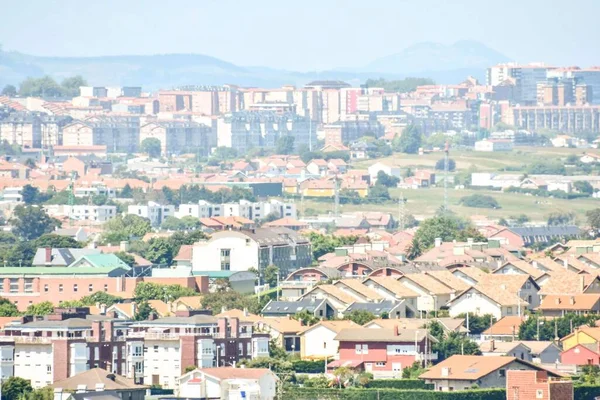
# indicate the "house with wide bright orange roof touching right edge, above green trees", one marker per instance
pixel 555 305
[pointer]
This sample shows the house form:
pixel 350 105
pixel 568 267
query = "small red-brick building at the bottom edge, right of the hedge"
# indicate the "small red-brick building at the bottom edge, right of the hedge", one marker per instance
pixel 521 385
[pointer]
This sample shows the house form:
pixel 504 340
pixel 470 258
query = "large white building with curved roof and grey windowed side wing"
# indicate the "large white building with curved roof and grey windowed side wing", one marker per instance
pixel 240 250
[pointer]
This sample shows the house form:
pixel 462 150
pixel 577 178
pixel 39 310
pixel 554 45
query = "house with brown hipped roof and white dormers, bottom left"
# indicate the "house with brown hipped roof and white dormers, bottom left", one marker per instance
pixel 98 380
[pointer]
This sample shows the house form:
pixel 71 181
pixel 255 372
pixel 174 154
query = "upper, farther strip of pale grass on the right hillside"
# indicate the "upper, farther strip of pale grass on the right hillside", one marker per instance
pixel 520 157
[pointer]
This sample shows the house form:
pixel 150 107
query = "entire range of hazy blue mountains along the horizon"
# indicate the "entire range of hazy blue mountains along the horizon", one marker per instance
pixel 444 64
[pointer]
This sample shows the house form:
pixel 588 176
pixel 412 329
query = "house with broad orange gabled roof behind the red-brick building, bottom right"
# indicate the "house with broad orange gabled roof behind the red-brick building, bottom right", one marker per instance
pixel 463 372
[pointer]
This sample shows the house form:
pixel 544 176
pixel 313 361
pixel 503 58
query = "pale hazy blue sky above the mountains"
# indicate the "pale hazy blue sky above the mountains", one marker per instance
pixel 301 35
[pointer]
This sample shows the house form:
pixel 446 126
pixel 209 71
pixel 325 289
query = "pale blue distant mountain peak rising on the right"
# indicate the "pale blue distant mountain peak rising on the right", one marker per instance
pixel 427 56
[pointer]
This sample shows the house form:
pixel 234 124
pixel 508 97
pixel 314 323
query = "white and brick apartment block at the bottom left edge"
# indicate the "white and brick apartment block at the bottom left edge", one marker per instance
pixel 62 345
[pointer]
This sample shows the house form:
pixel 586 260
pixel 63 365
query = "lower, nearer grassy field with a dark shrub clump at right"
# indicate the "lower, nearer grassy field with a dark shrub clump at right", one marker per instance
pixel 423 203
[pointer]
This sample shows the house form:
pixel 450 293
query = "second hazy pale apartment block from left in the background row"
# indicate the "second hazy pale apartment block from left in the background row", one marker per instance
pixel 118 134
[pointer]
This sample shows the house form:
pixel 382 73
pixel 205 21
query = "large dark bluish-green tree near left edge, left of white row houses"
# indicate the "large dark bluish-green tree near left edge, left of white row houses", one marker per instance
pixel 31 222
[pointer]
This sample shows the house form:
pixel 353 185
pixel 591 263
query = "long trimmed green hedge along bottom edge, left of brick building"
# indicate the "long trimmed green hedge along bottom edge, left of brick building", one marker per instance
pixel 391 394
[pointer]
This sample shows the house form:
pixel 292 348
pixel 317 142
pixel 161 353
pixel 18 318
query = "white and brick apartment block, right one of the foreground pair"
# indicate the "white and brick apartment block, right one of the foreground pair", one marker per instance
pixel 159 351
